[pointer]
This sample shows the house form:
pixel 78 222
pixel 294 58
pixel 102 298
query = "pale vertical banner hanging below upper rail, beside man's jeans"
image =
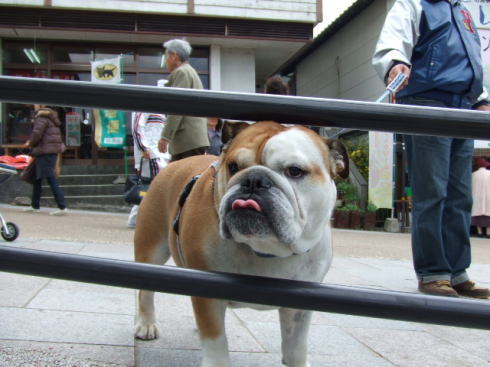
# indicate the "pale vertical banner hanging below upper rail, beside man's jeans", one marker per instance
pixel 381 169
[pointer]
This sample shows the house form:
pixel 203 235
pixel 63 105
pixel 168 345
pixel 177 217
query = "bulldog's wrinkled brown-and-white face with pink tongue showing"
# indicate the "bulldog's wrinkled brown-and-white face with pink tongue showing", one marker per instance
pixel 275 188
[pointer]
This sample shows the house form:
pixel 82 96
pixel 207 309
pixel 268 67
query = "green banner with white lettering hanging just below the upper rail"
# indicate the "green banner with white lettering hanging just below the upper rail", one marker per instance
pixel 110 128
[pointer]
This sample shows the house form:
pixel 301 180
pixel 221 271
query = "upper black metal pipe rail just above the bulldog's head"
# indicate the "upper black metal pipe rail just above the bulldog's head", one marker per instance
pixel 242 106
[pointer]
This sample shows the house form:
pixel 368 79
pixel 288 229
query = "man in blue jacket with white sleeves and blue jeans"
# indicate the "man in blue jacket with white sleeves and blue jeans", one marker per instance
pixel 436 45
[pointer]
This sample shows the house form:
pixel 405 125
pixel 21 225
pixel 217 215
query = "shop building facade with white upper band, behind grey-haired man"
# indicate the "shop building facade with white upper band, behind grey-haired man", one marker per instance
pixel 237 44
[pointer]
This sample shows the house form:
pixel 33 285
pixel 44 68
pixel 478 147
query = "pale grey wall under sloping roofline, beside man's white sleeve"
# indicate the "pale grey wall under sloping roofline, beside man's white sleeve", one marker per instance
pixel 341 67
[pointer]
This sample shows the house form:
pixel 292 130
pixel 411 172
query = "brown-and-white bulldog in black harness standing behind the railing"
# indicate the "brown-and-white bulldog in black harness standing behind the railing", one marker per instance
pixel 262 208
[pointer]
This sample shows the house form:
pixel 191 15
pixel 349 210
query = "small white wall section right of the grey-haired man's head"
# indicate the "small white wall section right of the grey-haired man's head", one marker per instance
pixel 238 70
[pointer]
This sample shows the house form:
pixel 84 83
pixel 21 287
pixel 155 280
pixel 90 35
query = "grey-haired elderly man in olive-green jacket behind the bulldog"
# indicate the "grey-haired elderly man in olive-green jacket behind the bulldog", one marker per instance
pixel 182 136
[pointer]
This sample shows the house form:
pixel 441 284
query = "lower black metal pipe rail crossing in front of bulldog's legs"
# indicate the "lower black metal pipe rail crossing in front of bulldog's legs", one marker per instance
pixel 251 289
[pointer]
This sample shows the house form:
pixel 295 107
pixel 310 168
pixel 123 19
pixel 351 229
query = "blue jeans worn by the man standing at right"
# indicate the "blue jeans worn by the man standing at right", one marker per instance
pixel 440 176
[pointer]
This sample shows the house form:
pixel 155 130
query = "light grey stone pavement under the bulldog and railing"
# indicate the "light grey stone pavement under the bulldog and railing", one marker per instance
pixel 48 322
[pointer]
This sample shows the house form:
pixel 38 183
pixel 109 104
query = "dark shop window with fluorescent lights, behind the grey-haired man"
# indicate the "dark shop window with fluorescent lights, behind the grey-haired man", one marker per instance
pixel 57 60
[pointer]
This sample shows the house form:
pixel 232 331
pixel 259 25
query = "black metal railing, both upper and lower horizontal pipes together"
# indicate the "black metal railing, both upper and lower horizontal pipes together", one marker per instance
pixel 277 292
